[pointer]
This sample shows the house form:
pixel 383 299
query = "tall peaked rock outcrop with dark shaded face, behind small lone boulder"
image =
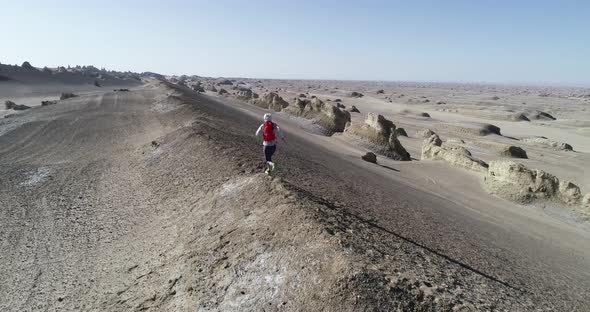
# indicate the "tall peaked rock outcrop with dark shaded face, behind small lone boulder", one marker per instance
pixel 379 132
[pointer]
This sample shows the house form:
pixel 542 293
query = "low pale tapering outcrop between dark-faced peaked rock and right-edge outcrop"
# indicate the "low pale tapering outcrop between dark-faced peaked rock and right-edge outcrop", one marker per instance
pixel 433 149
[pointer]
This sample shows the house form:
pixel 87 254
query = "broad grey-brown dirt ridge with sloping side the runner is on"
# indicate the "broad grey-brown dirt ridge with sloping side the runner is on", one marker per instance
pixel 134 201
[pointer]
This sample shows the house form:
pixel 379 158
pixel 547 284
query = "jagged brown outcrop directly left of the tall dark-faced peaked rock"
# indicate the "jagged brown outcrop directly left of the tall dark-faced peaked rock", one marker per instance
pixel 328 115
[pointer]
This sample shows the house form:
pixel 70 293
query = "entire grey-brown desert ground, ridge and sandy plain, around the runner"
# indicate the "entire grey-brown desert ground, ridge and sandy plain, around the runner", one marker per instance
pixel 154 198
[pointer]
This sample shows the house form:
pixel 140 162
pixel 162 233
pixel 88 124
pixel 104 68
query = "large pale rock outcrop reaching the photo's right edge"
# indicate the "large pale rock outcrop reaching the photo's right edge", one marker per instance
pixel 516 182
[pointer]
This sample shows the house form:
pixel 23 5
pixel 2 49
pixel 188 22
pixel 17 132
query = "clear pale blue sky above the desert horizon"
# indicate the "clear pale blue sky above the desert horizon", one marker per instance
pixel 537 42
